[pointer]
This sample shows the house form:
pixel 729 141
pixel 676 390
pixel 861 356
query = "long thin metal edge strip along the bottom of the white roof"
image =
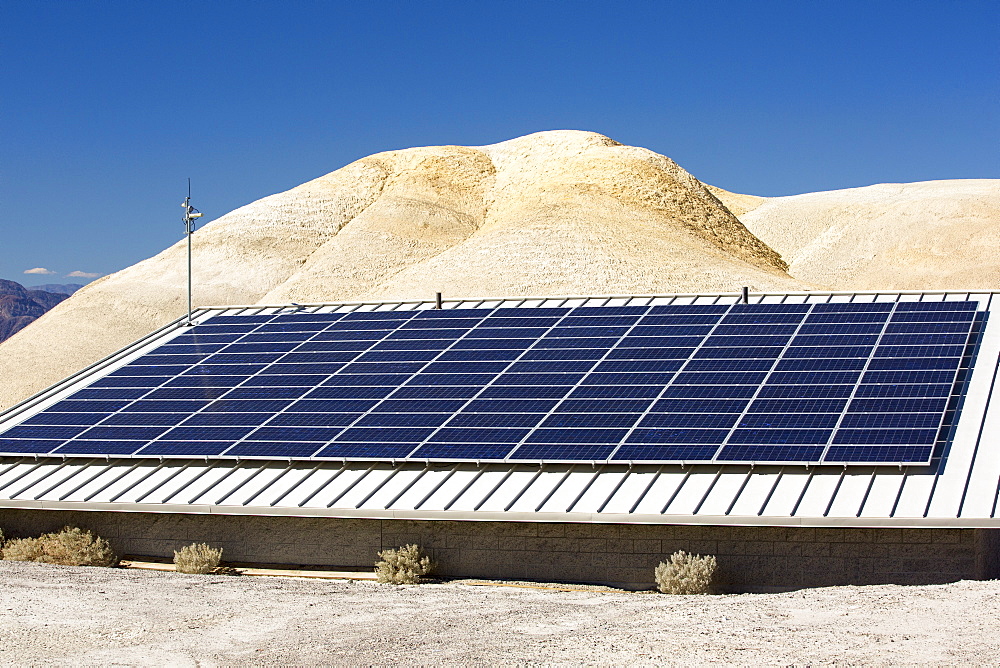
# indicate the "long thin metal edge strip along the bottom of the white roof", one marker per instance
pixel 478 516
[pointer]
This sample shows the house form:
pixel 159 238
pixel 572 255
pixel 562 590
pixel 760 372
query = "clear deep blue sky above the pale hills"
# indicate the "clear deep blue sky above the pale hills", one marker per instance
pixel 108 107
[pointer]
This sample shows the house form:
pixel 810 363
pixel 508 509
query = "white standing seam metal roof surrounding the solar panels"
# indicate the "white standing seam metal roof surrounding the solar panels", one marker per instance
pixel 958 489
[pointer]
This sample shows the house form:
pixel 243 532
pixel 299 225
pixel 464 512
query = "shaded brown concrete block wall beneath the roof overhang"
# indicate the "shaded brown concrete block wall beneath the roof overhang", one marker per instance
pixel 750 558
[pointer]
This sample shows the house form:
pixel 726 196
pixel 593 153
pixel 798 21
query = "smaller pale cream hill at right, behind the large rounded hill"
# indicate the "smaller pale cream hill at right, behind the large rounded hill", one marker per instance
pixel 908 236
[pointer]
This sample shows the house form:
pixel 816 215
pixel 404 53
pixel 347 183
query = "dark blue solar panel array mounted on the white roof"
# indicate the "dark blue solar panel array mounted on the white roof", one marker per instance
pixel 819 383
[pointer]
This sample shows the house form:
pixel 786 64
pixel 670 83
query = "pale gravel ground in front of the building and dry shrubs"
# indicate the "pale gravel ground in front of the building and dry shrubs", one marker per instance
pixel 61 615
